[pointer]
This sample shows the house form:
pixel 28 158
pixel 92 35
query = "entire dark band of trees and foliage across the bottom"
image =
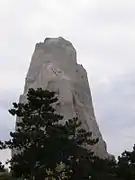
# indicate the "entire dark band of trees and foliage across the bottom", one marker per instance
pixel 44 147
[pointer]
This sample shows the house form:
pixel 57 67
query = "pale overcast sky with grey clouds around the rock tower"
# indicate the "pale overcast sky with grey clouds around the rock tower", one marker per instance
pixel 103 33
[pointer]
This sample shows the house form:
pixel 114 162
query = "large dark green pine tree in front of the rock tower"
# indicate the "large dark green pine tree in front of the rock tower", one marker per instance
pixel 42 141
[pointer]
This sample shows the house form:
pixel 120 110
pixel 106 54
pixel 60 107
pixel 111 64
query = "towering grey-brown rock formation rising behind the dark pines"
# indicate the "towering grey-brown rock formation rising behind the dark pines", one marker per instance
pixel 54 67
